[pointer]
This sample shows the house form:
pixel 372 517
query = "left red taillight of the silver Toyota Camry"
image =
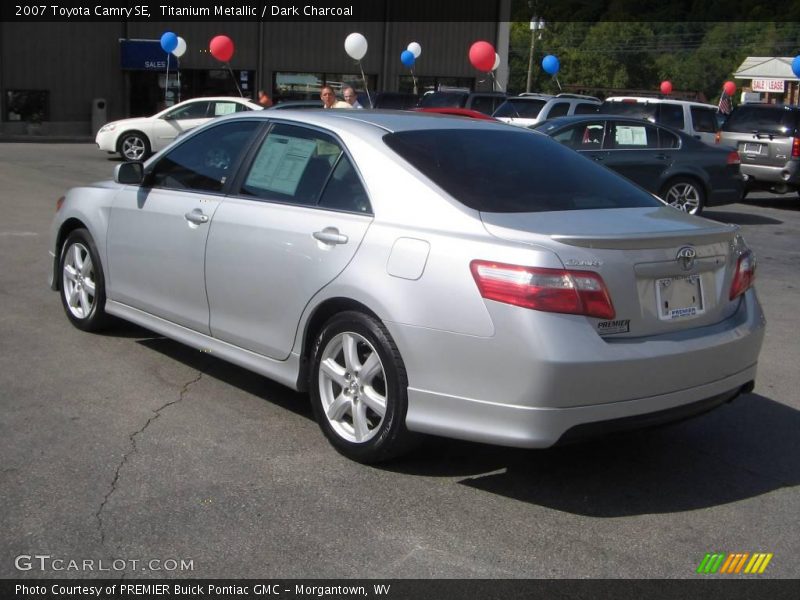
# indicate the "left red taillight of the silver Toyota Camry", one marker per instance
pixel 549 290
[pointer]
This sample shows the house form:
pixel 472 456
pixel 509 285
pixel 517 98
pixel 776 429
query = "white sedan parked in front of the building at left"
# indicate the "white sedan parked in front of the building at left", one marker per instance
pixel 137 138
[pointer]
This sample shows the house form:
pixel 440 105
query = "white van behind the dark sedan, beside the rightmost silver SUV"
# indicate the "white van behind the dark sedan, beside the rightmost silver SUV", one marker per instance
pixel 695 118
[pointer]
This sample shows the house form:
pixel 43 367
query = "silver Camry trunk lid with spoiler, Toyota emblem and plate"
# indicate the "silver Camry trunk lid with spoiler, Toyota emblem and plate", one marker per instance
pixel 665 271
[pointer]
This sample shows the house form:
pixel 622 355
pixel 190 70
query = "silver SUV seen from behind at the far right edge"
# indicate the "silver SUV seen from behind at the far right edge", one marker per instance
pixel 767 137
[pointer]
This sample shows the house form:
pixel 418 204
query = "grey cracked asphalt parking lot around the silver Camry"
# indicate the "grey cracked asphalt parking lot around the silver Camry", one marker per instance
pixel 130 447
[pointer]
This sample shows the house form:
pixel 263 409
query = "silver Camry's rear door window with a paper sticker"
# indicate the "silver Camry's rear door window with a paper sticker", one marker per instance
pixel 292 165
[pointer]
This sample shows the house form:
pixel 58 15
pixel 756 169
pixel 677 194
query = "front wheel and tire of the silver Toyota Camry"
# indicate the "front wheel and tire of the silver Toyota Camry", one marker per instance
pixel 82 289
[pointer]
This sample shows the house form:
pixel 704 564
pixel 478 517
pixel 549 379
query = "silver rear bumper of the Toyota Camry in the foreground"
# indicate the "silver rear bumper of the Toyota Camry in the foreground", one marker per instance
pixel 529 384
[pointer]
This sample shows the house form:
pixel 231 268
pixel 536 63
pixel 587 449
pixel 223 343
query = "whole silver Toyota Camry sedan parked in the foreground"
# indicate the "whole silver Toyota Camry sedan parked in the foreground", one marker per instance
pixel 418 274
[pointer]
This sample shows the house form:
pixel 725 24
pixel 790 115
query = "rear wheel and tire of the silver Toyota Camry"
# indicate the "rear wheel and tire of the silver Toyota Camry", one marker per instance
pixel 358 386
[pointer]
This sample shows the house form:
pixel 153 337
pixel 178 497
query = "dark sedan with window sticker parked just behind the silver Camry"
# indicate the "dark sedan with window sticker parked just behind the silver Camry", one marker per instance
pixel 684 172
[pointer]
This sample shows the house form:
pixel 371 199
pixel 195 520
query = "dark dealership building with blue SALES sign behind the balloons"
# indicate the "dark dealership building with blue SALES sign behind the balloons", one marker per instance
pixel 67 78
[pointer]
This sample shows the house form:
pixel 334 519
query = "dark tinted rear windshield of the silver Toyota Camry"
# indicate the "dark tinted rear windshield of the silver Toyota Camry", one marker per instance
pixel 514 172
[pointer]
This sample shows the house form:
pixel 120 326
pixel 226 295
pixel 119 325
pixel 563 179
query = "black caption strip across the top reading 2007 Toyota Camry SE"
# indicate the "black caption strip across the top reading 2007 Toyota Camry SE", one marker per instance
pixel 398 10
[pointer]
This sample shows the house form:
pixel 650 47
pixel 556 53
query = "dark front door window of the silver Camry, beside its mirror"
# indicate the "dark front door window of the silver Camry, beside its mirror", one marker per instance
pixel 204 161
